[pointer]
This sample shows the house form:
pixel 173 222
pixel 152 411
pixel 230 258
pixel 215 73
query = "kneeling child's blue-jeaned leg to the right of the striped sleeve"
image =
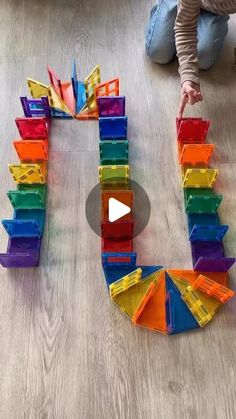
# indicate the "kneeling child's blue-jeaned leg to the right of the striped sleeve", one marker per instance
pixel 212 30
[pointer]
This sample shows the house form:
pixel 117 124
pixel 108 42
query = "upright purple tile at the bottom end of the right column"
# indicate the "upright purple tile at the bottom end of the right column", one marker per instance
pixel 211 264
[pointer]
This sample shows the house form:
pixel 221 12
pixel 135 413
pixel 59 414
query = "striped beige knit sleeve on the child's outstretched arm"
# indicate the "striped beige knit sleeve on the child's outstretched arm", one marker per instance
pixel 186 39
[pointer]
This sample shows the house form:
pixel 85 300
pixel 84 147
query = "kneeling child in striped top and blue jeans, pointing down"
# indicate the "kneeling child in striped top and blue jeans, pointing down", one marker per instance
pixel 196 29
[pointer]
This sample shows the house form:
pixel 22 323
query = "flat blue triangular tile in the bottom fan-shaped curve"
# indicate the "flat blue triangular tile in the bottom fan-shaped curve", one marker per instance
pixel 179 318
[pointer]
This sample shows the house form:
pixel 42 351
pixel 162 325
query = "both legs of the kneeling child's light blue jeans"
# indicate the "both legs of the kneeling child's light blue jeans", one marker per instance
pixel 160 37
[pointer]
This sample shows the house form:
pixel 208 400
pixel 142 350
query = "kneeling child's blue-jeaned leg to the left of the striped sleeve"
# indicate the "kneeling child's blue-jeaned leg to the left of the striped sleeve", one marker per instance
pixel 160 38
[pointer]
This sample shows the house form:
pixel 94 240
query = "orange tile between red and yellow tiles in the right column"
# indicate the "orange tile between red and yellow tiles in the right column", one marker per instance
pixel 195 154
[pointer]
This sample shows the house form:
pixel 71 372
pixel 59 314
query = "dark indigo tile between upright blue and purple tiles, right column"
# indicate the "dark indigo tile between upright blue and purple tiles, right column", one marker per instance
pixel 207 249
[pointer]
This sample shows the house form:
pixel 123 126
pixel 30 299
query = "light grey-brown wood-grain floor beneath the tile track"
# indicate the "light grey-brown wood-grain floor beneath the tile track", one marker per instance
pixel 66 352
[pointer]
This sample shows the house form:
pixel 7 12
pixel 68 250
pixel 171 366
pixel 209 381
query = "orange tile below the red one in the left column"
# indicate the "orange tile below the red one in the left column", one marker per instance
pixel 31 150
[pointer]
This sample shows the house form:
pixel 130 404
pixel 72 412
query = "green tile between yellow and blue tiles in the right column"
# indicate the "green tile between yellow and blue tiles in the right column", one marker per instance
pixel 201 200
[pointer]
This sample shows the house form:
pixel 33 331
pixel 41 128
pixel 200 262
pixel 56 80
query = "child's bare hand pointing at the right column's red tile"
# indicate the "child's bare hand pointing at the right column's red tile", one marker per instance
pixel 190 93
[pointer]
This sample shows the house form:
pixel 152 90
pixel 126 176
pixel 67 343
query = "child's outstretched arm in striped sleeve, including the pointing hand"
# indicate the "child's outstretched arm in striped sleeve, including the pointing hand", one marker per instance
pixel 186 44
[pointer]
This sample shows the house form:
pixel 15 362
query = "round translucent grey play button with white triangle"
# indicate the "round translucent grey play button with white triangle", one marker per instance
pixel 124 206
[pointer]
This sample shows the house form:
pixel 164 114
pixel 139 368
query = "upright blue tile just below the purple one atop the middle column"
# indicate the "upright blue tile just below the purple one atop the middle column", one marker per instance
pixel 113 128
